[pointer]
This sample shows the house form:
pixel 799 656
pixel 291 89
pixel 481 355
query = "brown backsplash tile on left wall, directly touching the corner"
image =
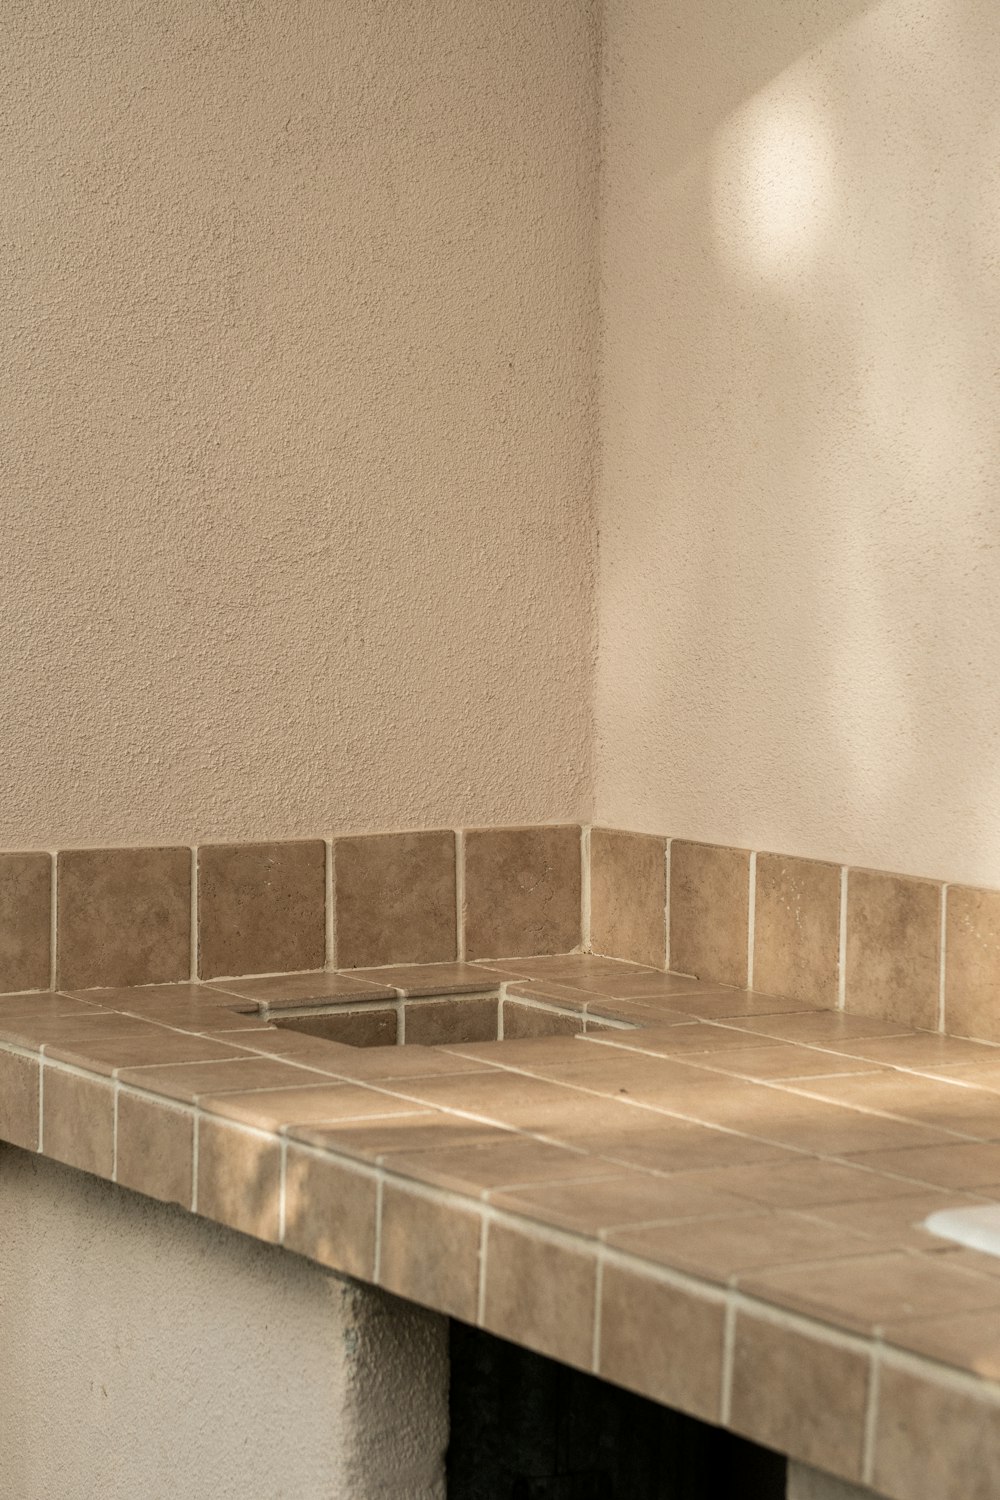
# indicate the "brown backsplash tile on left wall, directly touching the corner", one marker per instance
pixel 522 892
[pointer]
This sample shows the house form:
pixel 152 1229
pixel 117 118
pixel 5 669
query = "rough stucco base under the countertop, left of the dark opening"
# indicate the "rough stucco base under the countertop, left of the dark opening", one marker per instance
pixel 145 1352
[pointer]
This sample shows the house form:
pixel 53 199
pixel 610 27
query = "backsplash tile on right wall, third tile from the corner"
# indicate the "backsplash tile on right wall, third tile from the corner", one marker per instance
pixel 797 929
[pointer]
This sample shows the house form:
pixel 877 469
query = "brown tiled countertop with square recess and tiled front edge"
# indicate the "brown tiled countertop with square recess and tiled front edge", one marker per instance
pixel 708 1196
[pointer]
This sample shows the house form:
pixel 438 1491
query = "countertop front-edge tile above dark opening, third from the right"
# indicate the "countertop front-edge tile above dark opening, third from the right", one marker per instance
pixel 662 1340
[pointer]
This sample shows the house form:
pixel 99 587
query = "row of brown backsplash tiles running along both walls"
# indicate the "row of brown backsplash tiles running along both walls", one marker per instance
pixel 912 952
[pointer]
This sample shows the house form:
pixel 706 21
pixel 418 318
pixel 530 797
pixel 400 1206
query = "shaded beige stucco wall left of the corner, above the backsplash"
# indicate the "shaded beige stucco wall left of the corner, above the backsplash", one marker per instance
pixel 298 326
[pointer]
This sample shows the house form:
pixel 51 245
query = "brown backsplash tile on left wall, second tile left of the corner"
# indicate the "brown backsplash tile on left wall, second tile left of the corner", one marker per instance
pixel 395 899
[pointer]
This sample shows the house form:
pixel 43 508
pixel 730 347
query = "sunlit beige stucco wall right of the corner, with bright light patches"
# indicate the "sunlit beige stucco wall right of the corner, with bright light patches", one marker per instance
pixel 800 595
